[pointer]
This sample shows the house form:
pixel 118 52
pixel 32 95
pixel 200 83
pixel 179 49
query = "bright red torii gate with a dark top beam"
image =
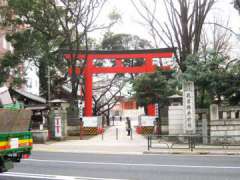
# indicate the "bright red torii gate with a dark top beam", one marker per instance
pixel 91 69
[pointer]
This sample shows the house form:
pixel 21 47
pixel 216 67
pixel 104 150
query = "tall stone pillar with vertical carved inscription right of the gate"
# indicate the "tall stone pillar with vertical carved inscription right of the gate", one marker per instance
pixel 189 107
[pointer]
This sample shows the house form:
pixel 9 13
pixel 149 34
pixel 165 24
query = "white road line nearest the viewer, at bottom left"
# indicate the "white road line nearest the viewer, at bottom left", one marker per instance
pixel 51 177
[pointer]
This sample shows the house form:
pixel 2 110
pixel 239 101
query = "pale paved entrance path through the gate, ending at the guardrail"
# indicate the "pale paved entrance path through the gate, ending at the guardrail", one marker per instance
pixel 113 141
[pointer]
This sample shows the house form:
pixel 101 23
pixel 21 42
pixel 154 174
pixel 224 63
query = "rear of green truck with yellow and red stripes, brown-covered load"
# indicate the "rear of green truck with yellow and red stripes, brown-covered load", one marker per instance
pixel 15 137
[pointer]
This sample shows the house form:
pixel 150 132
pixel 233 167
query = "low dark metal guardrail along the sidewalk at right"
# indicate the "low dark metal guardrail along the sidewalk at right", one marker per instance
pixel 192 142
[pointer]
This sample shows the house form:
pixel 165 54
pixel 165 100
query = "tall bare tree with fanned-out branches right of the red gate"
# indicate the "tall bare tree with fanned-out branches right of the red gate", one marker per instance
pixel 183 28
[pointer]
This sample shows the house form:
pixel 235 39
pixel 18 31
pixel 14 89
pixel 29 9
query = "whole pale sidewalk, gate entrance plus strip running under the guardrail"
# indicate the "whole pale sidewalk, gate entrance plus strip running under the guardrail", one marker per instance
pixel 116 141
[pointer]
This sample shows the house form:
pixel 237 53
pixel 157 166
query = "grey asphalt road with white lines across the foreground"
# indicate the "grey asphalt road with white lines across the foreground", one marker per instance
pixel 70 166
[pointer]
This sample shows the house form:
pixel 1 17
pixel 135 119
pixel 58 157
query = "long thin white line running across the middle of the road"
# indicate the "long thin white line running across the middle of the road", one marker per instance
pixel 134 164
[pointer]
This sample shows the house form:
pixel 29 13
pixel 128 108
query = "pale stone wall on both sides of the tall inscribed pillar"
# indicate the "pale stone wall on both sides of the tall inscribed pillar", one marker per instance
pixel 216 125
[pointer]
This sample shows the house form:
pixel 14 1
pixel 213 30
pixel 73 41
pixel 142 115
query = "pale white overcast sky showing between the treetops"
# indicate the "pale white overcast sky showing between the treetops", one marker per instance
pixel 131 21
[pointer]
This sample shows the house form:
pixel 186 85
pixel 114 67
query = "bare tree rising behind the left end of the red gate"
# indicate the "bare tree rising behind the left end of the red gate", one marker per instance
pixel 79 19
